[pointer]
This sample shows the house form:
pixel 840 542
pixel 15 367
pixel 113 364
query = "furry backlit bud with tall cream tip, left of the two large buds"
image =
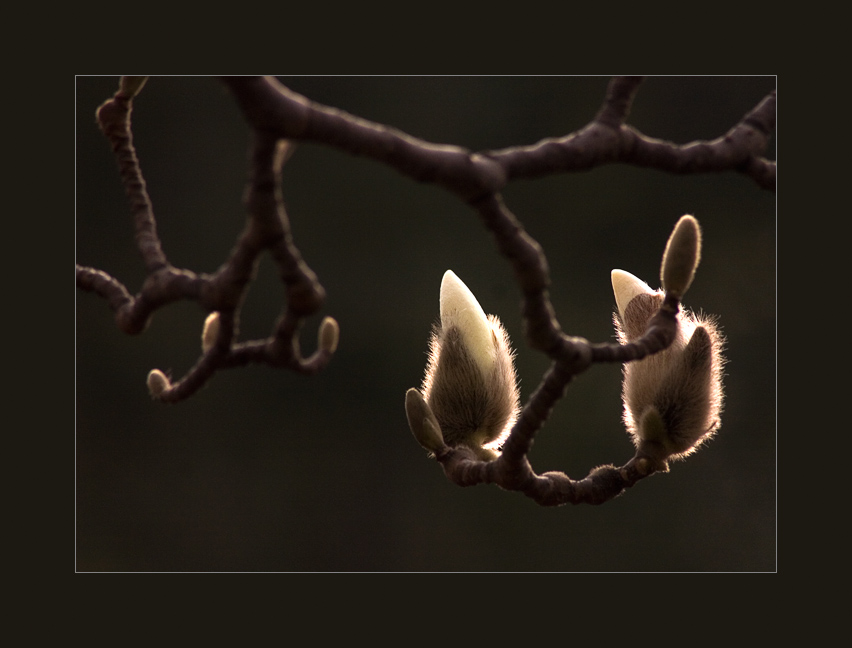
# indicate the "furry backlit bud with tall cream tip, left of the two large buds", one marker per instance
pixel 470 384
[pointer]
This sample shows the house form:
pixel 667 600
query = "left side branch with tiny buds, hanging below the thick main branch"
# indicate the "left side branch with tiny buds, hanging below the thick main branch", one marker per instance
pixel 267 228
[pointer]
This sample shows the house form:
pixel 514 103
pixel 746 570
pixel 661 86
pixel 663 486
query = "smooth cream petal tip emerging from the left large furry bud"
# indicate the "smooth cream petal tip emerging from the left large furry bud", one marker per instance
pixel 461 310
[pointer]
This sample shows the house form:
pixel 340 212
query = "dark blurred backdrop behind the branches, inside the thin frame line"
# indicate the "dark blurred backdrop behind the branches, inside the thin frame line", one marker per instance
pixel 266 470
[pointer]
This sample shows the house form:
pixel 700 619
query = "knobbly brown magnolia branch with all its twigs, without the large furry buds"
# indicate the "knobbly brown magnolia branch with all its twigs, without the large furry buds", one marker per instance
pixel 279 117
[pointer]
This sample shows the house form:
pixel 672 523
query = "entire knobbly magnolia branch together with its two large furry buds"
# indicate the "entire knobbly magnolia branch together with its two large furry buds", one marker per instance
pixel 672 359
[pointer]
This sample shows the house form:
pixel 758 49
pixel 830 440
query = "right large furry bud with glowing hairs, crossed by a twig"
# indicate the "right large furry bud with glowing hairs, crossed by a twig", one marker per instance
pixel 672 399
